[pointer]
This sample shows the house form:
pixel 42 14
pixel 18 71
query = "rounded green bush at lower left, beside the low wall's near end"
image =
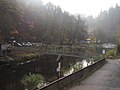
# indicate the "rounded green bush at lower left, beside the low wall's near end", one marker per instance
pixel 32 80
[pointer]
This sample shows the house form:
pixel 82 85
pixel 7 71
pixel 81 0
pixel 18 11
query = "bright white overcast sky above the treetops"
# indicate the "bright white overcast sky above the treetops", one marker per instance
pixel 86 7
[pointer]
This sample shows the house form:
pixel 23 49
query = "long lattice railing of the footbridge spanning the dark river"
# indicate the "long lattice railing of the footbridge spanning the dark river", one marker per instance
pixel 50 49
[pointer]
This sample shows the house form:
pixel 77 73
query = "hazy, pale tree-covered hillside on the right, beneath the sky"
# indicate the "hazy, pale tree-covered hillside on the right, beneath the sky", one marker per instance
pixel 106 27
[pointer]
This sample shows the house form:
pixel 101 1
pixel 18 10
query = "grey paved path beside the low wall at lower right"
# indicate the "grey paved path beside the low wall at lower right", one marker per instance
pixel 106 78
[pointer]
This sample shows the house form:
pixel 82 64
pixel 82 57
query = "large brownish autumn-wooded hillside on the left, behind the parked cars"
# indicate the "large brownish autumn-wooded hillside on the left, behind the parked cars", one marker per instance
pixel 35 22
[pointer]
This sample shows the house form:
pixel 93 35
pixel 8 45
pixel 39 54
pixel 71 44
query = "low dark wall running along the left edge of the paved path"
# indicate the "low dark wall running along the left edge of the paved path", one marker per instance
pixel 63 82
